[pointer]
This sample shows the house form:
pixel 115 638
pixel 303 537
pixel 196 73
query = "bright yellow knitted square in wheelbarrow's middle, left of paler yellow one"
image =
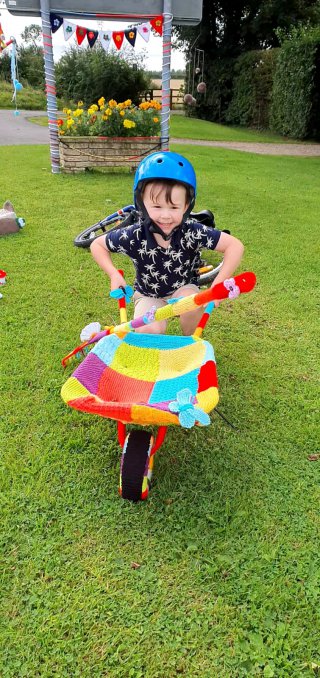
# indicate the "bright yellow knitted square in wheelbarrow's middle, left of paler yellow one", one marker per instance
pixel 138 363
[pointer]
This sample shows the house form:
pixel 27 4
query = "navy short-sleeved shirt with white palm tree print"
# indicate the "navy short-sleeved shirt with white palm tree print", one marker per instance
pixel 161 271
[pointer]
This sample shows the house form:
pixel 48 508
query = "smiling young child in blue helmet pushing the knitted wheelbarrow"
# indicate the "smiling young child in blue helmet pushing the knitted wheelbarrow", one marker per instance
pixel 165 244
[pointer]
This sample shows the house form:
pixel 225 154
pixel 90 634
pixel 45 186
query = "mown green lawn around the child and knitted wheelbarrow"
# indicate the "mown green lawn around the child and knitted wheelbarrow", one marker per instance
pixel 228 543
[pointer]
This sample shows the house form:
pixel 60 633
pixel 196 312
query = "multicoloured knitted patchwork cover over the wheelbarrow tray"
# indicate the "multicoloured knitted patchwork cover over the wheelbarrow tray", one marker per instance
pixel 138 378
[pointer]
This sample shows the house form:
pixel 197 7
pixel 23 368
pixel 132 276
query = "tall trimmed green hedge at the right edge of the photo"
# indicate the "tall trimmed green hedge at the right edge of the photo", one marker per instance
pixel 295 98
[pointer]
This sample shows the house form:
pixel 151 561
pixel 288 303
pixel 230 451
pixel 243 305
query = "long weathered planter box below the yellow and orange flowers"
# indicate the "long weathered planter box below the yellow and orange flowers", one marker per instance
pixel 78 153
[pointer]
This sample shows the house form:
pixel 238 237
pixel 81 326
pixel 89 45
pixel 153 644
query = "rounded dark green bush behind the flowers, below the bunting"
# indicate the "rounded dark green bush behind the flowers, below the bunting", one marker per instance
pixel 88 74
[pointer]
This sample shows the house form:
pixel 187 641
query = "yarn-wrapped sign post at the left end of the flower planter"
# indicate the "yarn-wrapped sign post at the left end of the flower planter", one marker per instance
pixel 50 86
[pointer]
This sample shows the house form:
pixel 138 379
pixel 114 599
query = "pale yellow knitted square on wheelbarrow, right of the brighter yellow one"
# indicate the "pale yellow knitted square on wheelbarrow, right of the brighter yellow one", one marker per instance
pixel 174 363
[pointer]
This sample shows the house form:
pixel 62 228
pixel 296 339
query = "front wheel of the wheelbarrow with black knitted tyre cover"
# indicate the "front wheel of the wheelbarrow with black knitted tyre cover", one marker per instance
pixel 136 466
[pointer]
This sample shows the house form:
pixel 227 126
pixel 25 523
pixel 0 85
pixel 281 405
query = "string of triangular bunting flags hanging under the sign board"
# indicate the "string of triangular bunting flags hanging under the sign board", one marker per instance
pixel 106 38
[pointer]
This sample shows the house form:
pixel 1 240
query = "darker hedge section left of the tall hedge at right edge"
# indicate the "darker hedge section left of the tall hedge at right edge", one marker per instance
pixel 252 89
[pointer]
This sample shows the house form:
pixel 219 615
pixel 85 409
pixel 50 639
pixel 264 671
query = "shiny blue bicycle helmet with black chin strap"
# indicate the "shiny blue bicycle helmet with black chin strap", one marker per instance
pixel 164 166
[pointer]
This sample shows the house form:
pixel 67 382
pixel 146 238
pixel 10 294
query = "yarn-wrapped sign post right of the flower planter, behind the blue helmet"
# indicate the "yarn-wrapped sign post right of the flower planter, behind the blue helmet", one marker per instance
pixel 166 72
